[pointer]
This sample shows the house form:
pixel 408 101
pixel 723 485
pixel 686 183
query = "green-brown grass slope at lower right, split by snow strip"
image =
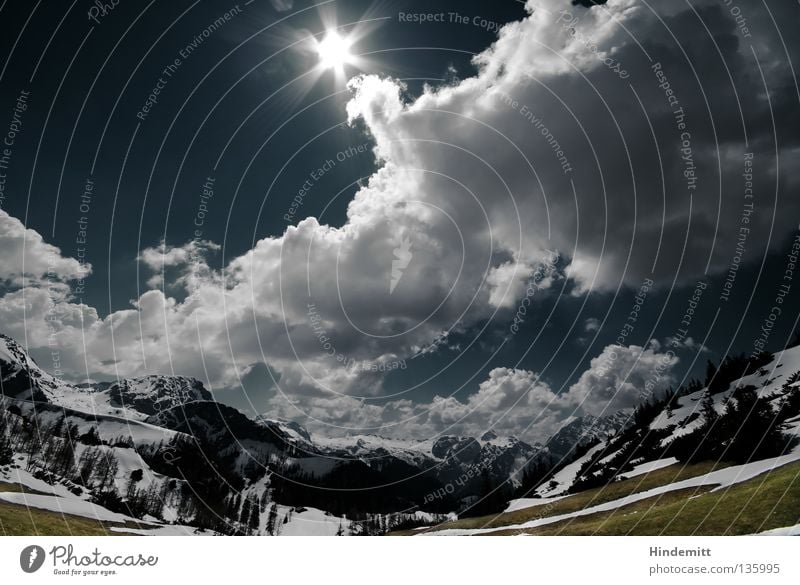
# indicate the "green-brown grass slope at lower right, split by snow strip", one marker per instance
pixel 770 500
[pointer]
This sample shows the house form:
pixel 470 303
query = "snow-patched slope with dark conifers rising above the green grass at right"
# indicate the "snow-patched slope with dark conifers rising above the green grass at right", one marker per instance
pixel 733 417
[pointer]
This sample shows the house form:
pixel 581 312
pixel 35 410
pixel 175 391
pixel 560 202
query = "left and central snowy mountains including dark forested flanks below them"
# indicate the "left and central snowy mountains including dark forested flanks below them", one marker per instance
pixel 262 454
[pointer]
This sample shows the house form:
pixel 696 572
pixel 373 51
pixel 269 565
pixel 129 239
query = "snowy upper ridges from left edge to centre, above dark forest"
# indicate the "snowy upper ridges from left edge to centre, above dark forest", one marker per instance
pixel 182 403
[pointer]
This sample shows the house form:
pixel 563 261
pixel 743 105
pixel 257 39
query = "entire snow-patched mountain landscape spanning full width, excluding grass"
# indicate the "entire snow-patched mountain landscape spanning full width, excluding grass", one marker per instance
pixel 174 455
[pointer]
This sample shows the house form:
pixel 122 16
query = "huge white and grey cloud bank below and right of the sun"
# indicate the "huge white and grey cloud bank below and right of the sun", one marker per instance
pixel 566 139
